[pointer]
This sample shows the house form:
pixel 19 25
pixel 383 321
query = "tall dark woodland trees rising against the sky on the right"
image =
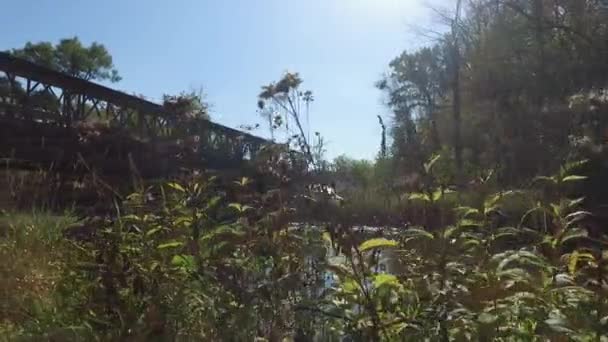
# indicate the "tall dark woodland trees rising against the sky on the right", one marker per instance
pixel 529 74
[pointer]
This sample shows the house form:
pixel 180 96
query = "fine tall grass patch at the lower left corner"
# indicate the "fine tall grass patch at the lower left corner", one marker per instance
pixel 29 249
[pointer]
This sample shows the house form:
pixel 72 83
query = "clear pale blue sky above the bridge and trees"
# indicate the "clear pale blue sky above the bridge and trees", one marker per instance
pixel 231 48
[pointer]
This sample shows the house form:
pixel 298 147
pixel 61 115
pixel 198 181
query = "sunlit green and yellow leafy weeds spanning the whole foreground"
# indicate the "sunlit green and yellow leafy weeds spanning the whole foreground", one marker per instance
pixel 202 259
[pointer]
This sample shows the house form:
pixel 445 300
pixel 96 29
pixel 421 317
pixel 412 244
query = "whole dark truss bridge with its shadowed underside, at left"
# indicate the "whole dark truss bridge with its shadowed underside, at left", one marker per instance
pixel 51 119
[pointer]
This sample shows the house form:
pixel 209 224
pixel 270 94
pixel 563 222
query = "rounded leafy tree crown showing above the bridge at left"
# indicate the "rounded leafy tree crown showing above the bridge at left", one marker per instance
pixel 92 63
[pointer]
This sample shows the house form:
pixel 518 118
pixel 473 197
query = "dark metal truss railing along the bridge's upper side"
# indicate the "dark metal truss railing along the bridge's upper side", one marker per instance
pixel 32 92
